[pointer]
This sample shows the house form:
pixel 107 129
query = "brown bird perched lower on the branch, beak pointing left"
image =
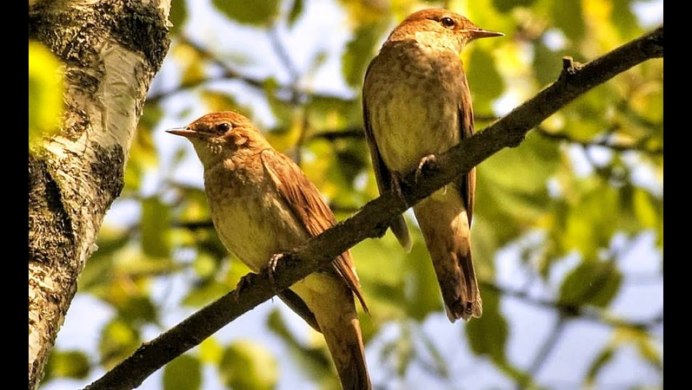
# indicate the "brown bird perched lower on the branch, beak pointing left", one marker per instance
pixel 262 205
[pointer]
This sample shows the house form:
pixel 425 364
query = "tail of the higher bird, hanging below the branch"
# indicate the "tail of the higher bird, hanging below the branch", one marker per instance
pixel 445 226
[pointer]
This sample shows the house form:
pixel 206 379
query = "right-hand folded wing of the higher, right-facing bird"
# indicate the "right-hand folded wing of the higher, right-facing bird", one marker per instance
pixel 467 183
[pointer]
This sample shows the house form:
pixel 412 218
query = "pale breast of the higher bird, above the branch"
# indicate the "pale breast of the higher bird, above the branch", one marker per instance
pixel 412 101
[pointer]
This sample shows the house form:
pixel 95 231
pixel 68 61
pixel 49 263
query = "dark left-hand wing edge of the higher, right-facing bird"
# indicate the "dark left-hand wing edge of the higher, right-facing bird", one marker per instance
pixel 383 176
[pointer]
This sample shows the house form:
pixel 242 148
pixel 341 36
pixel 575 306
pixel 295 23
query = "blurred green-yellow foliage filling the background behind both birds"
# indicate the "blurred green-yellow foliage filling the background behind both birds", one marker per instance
pixel 557 222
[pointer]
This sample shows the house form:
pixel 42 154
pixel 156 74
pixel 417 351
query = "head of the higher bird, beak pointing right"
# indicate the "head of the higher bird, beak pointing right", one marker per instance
pixel 435 27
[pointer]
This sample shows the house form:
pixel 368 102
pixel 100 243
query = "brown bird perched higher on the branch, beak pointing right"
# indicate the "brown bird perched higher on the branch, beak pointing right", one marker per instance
pixel 416 103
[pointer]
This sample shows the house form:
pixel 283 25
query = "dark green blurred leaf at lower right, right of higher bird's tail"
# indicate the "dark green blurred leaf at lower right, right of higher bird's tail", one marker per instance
pixel 591 282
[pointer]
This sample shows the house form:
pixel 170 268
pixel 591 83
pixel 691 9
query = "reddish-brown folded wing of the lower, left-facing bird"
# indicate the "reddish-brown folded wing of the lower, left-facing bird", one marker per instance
pixel 304 200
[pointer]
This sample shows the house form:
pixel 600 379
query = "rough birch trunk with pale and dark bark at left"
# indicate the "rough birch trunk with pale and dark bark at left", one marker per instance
pixel 111 50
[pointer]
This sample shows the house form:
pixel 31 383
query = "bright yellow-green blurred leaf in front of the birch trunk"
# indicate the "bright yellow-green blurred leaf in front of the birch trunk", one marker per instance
pixel 45 92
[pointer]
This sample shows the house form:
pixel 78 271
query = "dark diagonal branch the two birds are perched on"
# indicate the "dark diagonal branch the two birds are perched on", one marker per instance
pixel 372 220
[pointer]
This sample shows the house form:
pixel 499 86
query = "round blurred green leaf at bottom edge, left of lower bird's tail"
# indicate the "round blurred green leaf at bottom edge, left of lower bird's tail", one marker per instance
pixel 246 365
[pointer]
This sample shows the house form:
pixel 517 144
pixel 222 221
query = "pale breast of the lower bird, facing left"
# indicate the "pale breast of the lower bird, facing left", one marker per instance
pixel 250 217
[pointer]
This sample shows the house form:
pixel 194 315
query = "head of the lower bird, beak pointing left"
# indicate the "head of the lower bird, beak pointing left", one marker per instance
pixel 221 134
